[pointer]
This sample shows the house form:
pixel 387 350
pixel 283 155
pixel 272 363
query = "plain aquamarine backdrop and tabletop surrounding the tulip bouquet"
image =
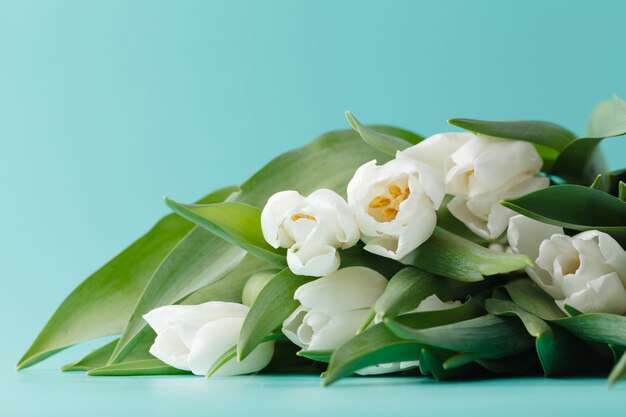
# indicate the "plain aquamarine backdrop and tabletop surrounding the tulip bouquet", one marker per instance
pixel 105 106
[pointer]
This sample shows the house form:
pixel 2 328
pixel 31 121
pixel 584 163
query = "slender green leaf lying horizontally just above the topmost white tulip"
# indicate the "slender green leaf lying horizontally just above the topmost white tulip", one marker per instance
pixel 542 133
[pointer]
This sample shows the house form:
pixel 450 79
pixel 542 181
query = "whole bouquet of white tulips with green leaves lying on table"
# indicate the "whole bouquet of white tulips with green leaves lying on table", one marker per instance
pixel 498 250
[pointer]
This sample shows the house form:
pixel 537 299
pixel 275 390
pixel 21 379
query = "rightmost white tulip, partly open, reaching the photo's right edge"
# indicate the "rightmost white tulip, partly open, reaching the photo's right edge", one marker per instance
pixel 586 271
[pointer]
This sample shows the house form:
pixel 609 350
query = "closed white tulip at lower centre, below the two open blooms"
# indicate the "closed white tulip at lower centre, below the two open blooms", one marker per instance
pixel 333 308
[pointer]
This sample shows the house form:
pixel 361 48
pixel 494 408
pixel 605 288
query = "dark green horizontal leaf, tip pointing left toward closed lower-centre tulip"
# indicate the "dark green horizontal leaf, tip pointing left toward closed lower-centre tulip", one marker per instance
pixel 489 335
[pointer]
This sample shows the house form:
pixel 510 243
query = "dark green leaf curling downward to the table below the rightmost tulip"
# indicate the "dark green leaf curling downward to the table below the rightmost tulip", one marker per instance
pixel 559 352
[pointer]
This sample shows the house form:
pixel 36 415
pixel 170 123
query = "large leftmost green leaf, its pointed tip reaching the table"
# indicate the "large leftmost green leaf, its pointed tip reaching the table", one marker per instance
pixel 104 302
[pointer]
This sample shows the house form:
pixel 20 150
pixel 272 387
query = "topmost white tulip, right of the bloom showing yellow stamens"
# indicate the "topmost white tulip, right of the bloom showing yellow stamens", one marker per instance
pixel 479 172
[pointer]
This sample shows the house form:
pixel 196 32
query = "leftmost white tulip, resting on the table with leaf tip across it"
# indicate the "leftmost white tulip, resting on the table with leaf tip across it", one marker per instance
pixel 194 337
